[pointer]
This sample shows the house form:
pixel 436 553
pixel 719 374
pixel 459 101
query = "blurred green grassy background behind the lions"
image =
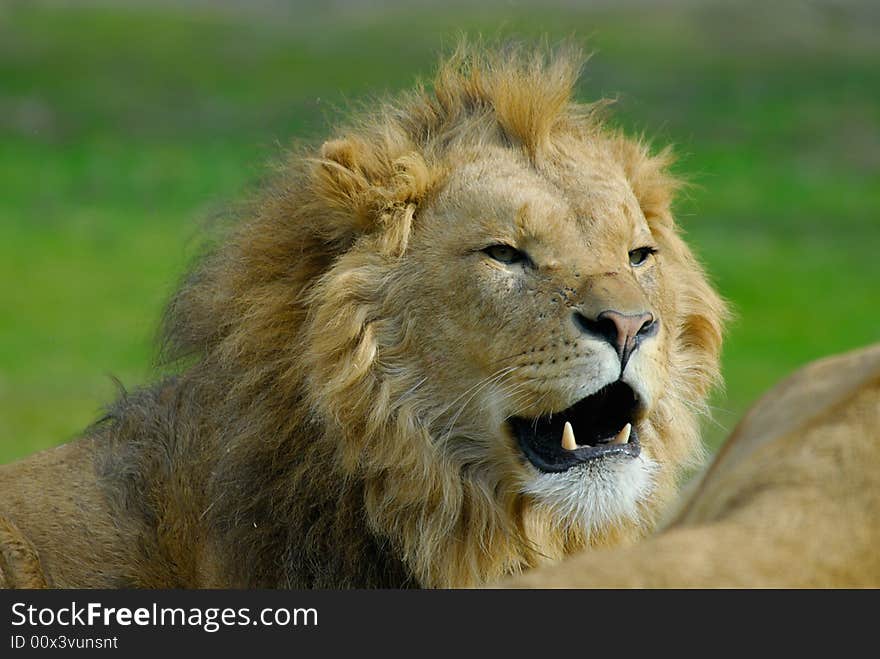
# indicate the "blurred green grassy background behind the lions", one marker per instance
pixel 124 126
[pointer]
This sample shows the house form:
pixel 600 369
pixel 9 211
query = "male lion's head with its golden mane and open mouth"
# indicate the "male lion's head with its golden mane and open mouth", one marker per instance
pixel 473 303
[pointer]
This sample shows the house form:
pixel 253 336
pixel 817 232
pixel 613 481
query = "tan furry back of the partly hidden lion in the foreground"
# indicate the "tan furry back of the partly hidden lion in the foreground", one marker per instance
pixel 791 500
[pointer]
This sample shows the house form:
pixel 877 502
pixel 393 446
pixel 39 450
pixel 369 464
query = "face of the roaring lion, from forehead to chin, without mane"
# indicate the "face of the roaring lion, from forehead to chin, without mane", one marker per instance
pixel 538 307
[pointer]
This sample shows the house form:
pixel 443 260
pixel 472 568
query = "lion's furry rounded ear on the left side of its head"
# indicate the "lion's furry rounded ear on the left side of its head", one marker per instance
pixel 373 187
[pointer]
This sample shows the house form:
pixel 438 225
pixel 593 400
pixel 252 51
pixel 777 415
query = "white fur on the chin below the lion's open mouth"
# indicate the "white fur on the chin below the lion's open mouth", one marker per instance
pixel 597 494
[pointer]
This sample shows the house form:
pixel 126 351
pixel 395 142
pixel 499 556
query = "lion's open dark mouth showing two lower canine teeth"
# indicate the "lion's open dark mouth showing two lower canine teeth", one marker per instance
pixel 596 426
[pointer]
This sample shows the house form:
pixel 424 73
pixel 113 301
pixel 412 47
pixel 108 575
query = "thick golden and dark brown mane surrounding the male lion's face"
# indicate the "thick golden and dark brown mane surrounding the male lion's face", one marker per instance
pixel 303 446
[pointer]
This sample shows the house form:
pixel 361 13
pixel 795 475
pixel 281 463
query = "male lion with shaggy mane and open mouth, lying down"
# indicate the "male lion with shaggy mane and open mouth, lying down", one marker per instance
pixel 461 339
